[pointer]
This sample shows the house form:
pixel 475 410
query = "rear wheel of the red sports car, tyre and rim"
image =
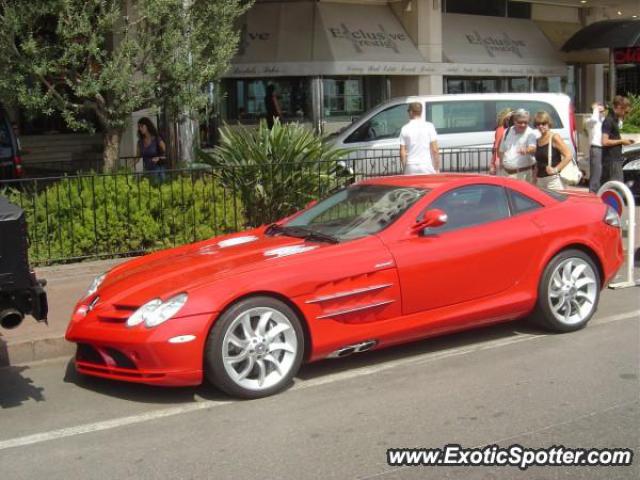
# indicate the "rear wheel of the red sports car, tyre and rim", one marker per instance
pixel 569 292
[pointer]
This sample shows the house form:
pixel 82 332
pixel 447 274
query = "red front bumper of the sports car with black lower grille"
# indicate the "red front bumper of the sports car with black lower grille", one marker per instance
pixel 141 354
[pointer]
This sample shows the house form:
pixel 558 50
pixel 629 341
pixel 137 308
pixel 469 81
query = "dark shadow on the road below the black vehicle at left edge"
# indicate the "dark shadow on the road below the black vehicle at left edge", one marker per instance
pixel 15 387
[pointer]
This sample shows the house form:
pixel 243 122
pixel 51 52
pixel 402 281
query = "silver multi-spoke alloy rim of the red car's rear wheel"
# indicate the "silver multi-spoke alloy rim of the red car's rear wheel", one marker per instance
pixel 572 291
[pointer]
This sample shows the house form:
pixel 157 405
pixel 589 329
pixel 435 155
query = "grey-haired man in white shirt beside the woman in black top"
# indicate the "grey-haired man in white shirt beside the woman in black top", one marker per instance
pixel 518 147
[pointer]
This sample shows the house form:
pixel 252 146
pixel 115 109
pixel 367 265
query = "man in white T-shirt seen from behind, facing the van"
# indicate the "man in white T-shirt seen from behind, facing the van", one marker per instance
pixel 419 153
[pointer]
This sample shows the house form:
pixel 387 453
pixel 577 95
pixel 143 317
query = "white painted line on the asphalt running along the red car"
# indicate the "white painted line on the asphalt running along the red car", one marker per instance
pixel 300 385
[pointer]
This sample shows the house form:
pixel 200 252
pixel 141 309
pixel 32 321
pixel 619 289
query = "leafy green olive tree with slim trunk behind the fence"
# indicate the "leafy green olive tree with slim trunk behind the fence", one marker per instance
pixel 105 59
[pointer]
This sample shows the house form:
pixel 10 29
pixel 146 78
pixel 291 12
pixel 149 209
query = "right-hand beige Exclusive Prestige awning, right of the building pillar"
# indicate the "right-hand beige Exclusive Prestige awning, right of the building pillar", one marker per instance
pixel 505 46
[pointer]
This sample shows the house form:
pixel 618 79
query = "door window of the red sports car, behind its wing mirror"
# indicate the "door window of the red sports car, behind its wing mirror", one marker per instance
pixel 472 205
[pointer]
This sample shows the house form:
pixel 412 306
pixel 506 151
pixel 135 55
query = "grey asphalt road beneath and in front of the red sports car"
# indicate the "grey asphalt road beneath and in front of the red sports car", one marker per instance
pixel 504 385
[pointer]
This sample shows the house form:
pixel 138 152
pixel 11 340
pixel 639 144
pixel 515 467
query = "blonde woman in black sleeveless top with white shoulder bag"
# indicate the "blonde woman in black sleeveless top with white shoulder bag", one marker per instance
pixel 552 154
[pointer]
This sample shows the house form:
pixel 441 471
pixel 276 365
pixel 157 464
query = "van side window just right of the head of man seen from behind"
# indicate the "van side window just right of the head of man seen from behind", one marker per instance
pixel 461 117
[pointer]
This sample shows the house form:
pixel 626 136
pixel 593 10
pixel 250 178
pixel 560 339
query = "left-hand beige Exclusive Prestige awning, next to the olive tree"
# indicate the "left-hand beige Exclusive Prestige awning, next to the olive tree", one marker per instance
pixel 305 38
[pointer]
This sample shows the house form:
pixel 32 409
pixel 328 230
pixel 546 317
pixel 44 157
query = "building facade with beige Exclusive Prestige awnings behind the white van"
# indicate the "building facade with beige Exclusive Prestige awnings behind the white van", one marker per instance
pixel 331 61
